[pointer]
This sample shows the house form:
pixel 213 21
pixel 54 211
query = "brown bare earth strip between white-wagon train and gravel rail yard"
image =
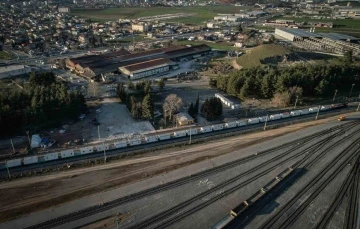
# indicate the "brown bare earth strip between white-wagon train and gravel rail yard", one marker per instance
pixel 28 195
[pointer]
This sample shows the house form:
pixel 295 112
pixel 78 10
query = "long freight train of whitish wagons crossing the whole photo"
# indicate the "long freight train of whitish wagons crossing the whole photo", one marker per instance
pixel 165 136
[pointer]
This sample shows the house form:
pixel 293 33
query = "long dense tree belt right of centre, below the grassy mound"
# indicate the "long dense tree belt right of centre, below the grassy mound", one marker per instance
pixel 315 80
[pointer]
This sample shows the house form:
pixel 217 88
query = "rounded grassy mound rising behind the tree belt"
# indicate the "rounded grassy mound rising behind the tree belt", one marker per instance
pixel 253 58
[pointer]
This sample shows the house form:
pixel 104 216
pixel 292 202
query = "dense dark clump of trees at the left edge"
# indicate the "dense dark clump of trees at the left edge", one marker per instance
pixel 42 103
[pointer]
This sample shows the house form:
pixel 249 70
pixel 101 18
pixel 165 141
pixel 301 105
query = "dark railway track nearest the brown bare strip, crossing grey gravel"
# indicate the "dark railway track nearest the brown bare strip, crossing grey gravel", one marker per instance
pixel 106 206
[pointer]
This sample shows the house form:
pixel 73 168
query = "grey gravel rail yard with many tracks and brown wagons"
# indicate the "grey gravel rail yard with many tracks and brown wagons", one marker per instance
pixel 309 178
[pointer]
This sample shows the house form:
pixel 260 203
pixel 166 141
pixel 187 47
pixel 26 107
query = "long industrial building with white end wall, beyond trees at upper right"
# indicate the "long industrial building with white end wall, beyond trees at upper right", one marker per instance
pixel 325 42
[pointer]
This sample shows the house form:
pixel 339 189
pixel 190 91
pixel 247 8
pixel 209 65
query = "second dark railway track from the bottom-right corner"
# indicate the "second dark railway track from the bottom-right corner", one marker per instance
pixel 340 196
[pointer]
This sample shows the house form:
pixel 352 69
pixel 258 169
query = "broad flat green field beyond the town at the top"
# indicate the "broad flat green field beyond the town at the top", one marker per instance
pixel 201 13
